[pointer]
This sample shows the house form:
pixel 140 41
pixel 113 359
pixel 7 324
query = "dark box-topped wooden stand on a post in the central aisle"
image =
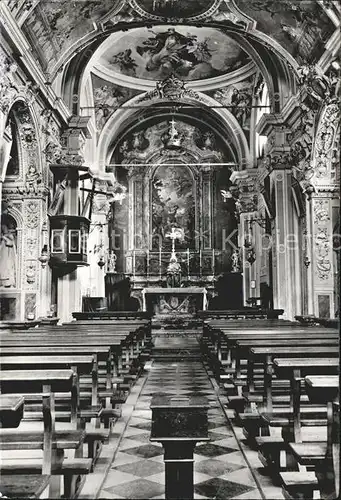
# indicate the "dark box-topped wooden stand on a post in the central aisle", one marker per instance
pixel 179 422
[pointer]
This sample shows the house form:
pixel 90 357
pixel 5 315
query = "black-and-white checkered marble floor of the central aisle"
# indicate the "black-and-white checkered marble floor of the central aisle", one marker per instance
pixel 220 471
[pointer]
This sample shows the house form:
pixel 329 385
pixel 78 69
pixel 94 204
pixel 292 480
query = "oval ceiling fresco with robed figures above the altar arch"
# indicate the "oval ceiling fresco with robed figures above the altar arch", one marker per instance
pixel 189 53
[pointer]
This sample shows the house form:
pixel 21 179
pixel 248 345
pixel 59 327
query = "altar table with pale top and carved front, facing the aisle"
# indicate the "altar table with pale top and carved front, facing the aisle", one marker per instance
pixel 187 300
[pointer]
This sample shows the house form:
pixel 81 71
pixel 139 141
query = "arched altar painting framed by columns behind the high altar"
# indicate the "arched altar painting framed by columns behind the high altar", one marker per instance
pixel 173 206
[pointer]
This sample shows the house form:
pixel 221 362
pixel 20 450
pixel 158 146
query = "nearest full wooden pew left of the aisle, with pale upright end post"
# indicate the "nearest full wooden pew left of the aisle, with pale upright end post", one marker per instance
pixel 52 442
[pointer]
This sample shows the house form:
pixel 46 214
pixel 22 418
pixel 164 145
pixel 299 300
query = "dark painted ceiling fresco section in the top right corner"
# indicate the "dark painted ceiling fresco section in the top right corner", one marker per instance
pixel 302 28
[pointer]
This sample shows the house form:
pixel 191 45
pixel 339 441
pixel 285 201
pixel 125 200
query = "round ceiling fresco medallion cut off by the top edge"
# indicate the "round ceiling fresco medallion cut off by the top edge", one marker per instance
pixel 175 8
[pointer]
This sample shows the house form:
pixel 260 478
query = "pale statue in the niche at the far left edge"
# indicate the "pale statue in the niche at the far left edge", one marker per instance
pixel 8 257
